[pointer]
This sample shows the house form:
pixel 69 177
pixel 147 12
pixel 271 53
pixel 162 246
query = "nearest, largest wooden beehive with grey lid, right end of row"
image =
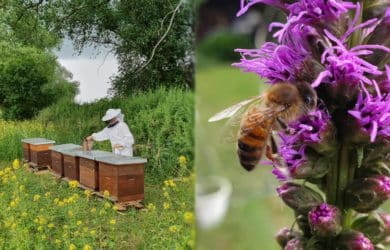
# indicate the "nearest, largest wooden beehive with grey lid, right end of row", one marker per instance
pixel 122 177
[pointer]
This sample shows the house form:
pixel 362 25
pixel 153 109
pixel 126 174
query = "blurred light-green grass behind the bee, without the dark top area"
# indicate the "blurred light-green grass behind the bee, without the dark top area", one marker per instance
pixel 255 213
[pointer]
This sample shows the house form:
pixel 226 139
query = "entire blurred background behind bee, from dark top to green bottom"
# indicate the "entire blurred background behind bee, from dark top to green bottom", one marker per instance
pixel 255 213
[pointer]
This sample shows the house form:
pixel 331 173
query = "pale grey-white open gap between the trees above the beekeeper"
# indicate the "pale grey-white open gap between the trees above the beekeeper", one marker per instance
pixel 91 69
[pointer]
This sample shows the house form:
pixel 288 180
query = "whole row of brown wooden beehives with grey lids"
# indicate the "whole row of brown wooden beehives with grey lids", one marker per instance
pixel 121 176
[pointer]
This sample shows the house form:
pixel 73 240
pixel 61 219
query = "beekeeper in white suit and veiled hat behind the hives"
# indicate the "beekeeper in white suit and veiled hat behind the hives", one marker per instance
pixel 117 132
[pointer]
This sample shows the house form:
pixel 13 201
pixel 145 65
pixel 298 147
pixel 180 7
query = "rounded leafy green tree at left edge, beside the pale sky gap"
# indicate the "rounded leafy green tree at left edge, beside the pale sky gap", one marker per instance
pixel 30 80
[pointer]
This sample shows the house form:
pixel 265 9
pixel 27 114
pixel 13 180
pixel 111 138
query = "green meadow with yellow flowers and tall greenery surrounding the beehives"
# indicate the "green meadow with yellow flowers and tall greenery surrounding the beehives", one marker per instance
pixel 39 211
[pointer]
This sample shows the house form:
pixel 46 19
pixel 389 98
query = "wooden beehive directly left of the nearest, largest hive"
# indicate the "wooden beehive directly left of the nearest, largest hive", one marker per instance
pixel 89 167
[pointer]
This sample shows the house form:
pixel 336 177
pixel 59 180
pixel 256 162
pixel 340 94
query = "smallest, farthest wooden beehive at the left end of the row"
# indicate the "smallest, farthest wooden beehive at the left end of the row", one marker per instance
pixel 36 151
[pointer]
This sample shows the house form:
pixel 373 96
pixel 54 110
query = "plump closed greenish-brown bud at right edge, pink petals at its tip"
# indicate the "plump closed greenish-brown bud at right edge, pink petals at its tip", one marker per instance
pixel 367 194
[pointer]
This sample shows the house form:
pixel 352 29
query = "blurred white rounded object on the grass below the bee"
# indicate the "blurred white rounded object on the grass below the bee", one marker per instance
pixel 211 207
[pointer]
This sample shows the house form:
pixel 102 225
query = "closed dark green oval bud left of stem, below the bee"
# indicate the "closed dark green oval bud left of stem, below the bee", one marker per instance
pixel 298 196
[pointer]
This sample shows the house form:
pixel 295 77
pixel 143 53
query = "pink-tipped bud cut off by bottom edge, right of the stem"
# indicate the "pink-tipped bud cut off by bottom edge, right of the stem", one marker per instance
pixel 353 240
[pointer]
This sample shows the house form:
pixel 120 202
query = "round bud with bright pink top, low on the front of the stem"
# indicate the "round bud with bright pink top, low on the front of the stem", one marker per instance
pixel 325 220
